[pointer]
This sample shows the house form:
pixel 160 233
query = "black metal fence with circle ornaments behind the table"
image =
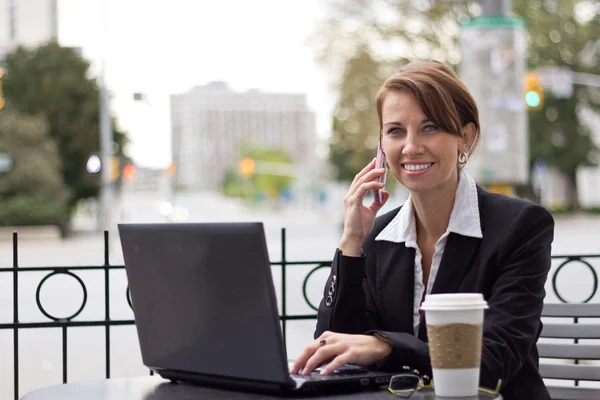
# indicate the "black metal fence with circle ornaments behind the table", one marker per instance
pixel 68 322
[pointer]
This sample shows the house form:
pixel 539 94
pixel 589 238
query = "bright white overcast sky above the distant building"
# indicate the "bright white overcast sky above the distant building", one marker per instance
pixel 165 47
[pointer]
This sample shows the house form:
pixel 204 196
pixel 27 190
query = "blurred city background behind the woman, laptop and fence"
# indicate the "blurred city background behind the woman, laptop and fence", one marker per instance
pixel 189 111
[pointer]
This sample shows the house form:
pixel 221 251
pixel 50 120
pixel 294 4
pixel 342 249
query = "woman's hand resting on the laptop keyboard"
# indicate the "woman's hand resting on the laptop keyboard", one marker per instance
pixel 337 349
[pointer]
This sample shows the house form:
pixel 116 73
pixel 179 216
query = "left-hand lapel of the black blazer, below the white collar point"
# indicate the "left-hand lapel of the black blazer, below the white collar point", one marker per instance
pixel 395 280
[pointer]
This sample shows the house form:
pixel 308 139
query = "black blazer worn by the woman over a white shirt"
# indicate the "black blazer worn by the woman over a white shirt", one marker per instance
pixel 509 266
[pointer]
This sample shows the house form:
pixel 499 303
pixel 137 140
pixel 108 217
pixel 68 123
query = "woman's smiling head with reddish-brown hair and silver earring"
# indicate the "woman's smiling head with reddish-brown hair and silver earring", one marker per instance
pixel 423 128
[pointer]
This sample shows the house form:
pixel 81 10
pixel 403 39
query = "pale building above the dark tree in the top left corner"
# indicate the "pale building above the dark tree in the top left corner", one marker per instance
pixel 27 23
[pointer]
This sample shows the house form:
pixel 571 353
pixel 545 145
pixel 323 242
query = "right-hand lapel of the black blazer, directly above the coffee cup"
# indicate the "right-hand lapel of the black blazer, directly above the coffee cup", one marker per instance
pixel 455 263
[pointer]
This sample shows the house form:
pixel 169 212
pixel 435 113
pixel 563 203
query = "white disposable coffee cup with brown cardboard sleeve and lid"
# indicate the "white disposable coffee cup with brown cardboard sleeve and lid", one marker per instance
pixel 455 328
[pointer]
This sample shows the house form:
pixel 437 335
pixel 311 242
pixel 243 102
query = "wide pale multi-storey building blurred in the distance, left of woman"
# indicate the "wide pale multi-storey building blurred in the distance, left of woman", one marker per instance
pixel 209 122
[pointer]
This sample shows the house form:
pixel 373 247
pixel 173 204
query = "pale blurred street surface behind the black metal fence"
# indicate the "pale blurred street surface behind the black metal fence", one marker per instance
pixel 312 234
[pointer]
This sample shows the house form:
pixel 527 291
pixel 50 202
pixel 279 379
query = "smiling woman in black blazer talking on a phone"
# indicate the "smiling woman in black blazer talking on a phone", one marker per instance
pixel 449 236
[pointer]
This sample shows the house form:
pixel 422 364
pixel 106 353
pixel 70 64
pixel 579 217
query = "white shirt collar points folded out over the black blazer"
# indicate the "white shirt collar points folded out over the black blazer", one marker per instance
pixel 464 219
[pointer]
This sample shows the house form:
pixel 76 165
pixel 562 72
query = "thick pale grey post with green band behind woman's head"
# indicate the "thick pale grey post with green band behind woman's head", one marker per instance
pixel 493 66
